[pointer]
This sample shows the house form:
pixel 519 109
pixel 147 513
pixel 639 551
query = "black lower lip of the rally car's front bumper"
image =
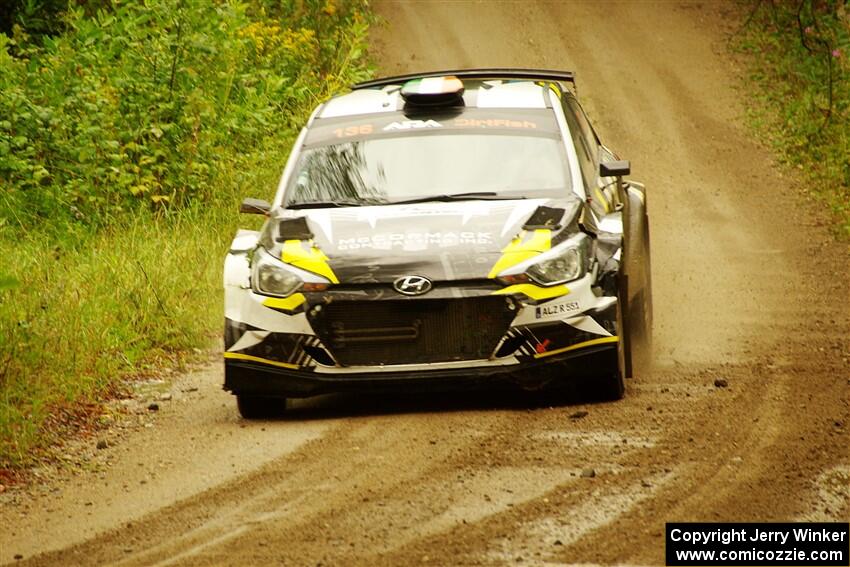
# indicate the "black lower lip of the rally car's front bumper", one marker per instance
pixel 246 377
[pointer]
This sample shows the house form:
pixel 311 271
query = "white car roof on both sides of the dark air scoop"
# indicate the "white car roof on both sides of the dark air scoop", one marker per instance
pixel 483 88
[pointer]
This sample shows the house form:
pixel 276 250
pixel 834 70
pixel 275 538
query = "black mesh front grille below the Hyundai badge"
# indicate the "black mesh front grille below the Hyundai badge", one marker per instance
pixel 411 331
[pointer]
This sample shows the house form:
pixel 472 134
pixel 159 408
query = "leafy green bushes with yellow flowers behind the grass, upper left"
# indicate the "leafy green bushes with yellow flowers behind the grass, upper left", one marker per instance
pixel 142 105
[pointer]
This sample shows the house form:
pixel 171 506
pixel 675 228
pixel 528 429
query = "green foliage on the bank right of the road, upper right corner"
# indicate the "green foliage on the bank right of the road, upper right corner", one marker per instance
pixel 801 64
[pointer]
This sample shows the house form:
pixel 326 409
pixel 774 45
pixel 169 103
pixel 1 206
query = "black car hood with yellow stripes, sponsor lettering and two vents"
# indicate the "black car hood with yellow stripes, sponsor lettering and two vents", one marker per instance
pixel 438 240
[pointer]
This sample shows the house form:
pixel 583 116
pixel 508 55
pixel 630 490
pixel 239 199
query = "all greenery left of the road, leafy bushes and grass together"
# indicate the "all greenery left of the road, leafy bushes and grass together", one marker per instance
pixel 126 144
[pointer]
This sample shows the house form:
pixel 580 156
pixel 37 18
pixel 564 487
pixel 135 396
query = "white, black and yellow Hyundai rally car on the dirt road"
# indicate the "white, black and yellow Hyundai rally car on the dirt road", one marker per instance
pixel 441 231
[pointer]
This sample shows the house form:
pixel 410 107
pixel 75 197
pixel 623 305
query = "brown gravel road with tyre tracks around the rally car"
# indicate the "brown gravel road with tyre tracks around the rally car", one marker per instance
pixel 750 289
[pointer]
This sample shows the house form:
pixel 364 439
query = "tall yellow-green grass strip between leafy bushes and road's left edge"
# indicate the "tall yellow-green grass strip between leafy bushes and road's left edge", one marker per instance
pixel 87 312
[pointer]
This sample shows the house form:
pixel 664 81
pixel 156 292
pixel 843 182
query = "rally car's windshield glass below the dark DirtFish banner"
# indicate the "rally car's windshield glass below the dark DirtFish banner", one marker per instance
pixel 385 170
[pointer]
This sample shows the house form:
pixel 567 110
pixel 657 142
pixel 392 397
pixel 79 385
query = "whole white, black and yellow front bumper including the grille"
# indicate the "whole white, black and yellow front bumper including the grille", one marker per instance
pixel 493 336
